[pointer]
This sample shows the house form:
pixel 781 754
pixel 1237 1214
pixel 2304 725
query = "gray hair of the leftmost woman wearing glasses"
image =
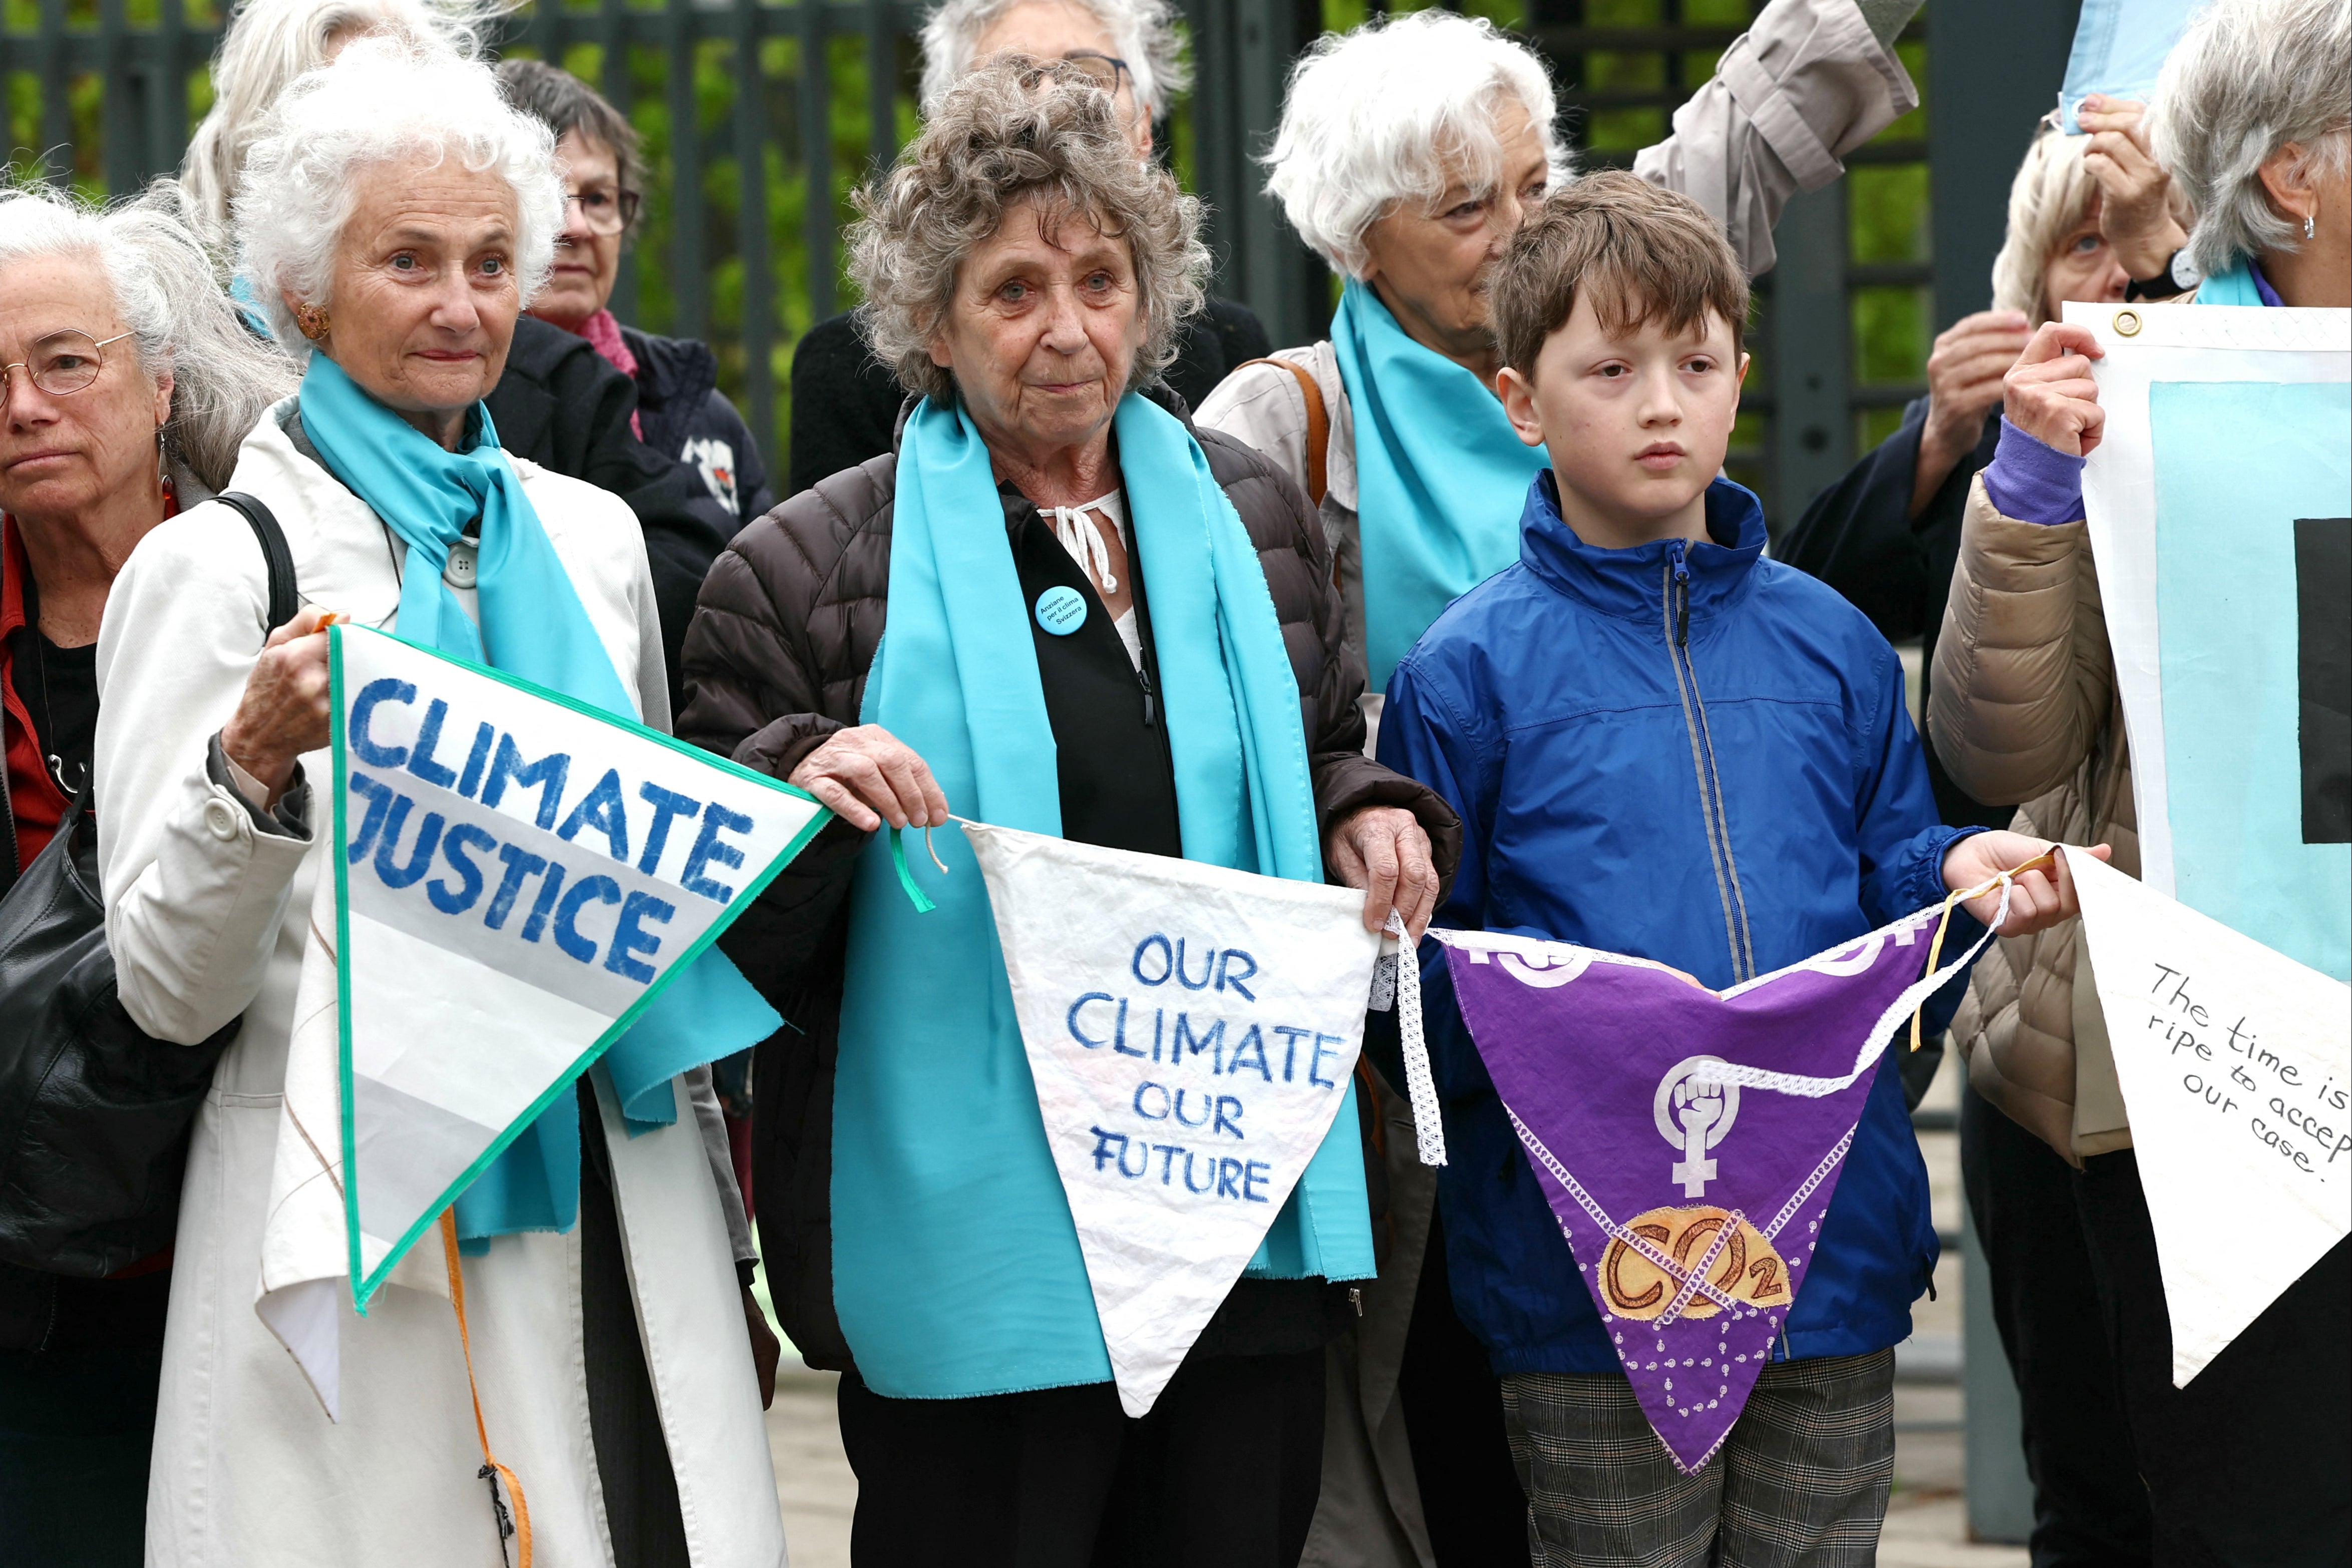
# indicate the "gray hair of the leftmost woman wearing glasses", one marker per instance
pixel 185 328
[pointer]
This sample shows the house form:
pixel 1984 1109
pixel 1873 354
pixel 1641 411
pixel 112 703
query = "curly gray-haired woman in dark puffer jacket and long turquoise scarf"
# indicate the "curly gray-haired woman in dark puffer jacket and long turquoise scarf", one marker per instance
pixel 1053 608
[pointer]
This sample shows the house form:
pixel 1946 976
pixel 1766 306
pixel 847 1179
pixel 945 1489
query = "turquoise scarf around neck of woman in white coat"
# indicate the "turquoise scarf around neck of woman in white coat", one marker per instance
pixel 533 626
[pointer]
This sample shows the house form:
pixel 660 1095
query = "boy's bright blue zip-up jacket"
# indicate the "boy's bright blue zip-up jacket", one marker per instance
pixel 1702 758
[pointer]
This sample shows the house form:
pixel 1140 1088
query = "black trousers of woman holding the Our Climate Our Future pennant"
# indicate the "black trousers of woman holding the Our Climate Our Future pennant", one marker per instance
pixel 1224 1473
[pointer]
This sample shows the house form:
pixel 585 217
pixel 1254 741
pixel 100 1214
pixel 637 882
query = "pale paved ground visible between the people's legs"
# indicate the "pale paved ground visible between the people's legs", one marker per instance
pixel 1925 1525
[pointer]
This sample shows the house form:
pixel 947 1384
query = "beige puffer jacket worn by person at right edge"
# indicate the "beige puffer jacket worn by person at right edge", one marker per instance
pixel 2024 711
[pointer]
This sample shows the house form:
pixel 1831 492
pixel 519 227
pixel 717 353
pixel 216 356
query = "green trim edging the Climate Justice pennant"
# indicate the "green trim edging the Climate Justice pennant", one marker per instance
pixel 363 1287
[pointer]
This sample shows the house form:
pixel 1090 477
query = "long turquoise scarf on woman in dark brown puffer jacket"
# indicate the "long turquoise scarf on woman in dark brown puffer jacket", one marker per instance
pixel 956 1268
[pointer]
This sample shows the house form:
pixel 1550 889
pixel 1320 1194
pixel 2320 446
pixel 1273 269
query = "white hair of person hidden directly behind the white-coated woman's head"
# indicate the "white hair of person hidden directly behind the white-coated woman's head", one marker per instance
pixel 265 48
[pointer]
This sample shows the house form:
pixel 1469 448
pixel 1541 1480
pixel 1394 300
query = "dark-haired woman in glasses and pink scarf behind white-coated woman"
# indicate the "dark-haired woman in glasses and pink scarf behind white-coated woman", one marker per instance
pixel 681 410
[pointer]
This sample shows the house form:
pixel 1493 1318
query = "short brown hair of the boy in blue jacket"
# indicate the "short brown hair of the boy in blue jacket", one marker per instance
pixel 1643 253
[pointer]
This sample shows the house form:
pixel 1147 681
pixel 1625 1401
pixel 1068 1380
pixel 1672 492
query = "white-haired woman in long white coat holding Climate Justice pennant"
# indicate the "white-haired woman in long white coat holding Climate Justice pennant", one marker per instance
pixel 394 220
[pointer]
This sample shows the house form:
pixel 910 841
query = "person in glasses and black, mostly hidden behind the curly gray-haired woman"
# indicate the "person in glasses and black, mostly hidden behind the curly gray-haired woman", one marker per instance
pixel 846 401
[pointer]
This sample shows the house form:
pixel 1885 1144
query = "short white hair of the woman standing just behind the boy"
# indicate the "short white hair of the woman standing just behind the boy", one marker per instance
pixel 1394 114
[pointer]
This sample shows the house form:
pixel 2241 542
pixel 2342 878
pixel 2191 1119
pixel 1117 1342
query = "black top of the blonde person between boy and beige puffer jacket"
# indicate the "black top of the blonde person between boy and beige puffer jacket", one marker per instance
pixel 1862 540
